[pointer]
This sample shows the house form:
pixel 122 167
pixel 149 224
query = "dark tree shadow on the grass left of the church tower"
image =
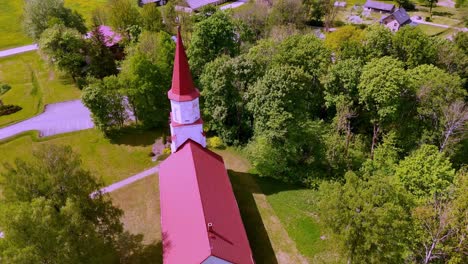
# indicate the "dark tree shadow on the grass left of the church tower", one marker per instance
pixel 133 136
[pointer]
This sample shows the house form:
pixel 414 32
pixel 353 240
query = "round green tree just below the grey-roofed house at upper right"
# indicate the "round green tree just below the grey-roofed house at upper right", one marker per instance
pixel 413 47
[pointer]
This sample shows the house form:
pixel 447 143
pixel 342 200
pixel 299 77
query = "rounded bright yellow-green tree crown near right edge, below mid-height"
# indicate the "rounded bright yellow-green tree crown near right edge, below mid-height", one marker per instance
pixel 426 172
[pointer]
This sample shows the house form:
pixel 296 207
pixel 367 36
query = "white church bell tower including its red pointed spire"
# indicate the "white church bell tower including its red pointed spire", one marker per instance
pixel 186 122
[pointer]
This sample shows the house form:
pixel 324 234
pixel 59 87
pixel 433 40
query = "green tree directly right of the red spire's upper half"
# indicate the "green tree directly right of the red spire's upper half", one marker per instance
pixel 212 37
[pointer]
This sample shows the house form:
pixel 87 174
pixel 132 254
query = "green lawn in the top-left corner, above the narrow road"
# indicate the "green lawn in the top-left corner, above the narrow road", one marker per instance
pixel 11 30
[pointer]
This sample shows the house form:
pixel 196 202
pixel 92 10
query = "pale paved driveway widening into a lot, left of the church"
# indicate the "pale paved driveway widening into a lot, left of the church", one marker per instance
pixel 57 119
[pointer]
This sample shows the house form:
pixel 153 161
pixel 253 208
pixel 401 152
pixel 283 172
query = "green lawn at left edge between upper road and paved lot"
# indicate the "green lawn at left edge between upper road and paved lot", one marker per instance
pixel 33 84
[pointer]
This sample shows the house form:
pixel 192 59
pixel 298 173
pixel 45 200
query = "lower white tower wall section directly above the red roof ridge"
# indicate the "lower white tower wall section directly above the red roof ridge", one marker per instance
pixel 185 132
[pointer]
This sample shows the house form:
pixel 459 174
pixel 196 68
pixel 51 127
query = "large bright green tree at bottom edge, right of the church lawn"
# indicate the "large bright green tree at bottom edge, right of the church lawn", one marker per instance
pixel 361 212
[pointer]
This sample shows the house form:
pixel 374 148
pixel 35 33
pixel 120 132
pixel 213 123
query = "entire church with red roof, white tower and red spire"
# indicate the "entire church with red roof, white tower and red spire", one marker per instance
pixel 200 218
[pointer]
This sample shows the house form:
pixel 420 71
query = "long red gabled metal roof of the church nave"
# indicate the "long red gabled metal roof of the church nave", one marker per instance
pixel 199 212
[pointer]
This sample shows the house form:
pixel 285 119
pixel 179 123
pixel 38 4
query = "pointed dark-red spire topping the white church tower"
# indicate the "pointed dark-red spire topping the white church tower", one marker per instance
pixel 182 88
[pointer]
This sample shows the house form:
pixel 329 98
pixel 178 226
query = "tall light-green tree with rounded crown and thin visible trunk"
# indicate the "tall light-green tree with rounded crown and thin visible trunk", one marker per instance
pixel 382 87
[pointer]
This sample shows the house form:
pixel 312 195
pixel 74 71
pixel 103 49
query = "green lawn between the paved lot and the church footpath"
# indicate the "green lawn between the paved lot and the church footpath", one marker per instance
pixel 112 161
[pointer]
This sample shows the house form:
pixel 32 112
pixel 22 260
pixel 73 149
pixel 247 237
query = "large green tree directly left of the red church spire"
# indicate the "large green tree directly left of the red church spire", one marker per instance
pixel 146 76
